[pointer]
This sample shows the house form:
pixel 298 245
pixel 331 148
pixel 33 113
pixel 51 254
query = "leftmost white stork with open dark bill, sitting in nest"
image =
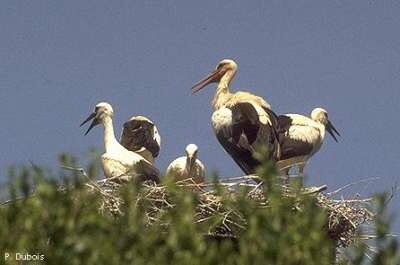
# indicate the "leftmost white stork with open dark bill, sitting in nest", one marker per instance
pixel 119 164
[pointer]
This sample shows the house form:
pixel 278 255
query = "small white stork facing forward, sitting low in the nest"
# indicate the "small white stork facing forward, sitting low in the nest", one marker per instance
pixel 188 166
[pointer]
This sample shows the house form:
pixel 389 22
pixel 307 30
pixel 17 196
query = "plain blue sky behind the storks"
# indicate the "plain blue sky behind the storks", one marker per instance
pixel 59 58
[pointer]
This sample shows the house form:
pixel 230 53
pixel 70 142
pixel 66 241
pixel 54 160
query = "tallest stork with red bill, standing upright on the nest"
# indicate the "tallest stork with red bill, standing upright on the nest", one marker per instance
pixel 241 121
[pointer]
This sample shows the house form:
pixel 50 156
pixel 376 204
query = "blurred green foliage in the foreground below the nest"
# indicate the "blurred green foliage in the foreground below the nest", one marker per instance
pixel 68 227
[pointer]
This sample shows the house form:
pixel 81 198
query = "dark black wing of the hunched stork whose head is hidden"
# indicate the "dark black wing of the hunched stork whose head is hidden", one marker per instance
pixel 139 133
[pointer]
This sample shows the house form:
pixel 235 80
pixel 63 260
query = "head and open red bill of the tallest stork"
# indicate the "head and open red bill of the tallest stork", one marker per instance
pixel 223 67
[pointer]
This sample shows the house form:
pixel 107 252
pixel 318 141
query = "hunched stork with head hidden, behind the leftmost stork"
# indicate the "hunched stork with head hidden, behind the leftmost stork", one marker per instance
pixel 140 135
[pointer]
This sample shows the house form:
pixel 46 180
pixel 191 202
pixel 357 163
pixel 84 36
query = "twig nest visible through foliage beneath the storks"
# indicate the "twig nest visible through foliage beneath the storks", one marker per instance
pixel 344 217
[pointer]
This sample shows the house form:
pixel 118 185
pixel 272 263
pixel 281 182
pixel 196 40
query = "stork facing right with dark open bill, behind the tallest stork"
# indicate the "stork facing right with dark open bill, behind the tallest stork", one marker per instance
pixel 301 137
